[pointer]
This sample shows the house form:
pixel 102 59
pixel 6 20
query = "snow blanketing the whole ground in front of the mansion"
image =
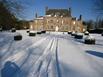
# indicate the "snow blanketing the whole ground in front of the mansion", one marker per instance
pixel 54 54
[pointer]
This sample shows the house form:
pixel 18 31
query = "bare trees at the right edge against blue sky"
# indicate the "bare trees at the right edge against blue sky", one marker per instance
pixel 98 11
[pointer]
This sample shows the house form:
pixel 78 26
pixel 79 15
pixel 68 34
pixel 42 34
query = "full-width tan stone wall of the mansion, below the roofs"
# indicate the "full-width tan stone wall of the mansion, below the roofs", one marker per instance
pixel 63 23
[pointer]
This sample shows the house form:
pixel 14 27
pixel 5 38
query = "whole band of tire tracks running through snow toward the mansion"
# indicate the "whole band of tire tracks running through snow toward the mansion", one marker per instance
pixel 48 64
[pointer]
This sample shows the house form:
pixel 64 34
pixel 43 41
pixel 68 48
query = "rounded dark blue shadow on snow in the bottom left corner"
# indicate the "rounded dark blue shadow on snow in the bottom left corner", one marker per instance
pixel 10 70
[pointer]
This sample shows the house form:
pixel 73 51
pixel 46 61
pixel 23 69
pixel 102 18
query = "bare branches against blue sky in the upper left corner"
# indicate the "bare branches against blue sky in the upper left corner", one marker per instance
pixel 13 6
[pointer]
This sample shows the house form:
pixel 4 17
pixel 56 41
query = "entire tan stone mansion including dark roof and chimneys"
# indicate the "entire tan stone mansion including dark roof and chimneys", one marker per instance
pixel 57 18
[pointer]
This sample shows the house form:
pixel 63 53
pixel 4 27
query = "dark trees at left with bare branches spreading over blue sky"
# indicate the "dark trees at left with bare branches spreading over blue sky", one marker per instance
pixel 10 10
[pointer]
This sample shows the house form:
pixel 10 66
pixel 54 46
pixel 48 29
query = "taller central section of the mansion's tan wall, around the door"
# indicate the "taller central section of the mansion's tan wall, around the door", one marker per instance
pixel 63 23
